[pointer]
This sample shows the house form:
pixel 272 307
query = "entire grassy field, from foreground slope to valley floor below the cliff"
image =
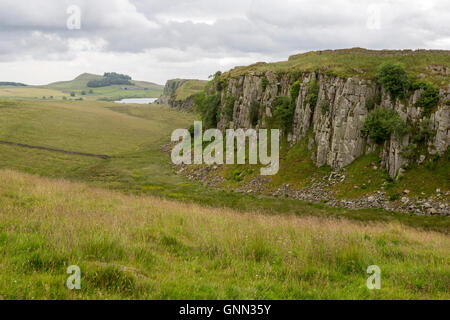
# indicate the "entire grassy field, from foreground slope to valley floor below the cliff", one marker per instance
pixel 109 214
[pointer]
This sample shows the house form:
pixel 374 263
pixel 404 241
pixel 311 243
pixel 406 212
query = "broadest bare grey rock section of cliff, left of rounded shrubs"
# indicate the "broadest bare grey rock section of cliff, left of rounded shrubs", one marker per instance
pixel 337 128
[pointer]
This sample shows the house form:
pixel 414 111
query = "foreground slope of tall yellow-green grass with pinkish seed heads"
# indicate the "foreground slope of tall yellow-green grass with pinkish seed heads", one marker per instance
pixel 149 248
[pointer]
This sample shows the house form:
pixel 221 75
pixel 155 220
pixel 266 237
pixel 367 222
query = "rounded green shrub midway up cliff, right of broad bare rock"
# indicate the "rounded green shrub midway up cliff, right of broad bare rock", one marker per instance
pixel 381 123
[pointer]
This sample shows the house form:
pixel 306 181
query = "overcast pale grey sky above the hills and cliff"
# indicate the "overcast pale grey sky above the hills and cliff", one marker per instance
pixel 42 41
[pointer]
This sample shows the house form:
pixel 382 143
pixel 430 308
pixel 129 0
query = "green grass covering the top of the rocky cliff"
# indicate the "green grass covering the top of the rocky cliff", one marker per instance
pixel 353 62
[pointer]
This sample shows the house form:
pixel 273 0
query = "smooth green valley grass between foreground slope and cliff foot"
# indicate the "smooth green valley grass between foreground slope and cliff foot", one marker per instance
pixel 132 136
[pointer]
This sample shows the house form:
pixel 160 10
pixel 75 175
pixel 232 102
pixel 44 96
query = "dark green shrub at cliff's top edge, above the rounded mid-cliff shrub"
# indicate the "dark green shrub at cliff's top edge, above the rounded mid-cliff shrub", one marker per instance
pixel 394 79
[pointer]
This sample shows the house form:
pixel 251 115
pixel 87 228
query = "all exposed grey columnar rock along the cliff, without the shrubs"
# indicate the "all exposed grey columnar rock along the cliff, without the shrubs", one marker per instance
pixel 336 121
